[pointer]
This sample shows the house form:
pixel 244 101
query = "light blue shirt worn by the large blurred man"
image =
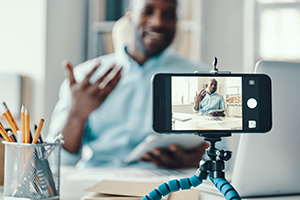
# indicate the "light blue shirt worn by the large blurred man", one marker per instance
pixel 125 118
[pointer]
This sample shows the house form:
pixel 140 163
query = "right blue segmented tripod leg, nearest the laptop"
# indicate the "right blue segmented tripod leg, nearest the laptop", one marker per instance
pixel 225 188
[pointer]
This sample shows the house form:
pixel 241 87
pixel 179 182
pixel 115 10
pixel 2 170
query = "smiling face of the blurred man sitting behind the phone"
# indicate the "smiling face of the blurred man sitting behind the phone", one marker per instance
pixel 154 25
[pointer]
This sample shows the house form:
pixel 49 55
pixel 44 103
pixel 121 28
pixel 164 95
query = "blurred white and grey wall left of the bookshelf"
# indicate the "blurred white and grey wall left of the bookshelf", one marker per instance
pixel 35 36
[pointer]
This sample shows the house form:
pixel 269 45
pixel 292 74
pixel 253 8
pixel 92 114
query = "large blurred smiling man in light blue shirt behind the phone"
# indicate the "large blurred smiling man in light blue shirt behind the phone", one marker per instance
pixel 114 118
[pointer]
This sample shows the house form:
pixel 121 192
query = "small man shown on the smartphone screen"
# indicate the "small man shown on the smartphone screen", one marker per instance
pixel 208 102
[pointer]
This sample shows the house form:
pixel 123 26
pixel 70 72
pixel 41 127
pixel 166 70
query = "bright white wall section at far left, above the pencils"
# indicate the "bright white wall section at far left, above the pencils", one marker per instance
pixel 23 47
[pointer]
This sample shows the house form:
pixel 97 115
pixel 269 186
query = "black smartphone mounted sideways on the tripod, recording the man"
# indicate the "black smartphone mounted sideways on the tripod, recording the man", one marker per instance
pixel 235 103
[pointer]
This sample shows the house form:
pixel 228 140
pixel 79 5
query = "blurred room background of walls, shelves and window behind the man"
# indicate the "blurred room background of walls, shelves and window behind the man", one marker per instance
pixel 36 35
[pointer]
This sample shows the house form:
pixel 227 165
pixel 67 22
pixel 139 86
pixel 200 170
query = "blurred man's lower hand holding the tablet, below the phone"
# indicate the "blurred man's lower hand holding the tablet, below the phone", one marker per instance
pixel 175 156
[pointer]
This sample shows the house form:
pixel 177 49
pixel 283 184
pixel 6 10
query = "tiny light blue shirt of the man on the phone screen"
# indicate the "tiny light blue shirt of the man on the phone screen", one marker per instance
pixel 210 102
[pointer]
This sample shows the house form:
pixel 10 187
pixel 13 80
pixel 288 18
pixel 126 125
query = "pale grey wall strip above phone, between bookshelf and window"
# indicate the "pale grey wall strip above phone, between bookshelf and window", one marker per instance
pixel 222 33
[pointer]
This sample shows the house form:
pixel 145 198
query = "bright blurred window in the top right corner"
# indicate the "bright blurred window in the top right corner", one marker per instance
pixel 279 29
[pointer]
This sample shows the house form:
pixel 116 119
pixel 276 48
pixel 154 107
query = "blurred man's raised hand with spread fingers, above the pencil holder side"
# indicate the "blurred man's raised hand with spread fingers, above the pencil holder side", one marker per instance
pixel 87 97
